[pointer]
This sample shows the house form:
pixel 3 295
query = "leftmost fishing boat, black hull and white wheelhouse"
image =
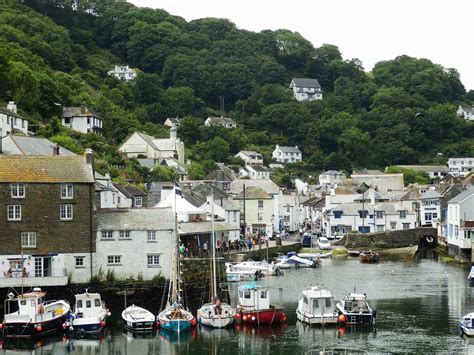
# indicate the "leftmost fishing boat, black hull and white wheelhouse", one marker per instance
pixel 35 316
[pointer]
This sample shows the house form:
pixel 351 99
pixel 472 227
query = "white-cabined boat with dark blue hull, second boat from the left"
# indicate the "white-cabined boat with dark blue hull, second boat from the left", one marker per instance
pixel 89 314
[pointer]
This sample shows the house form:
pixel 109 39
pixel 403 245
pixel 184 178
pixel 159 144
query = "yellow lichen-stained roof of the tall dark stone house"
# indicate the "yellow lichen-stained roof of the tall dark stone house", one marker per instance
pixel 45 169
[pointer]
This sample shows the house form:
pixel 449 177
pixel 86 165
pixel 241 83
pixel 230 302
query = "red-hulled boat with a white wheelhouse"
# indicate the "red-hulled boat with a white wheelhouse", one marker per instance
pixel 254 306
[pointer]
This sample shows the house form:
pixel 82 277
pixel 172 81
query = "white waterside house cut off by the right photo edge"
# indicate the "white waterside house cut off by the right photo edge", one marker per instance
pixel 460 224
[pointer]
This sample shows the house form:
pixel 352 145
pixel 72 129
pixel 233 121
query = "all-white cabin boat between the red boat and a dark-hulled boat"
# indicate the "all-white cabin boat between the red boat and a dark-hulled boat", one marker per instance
pixel 316 306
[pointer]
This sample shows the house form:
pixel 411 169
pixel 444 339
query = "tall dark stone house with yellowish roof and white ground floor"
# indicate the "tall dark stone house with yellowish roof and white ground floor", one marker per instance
pixel 46 219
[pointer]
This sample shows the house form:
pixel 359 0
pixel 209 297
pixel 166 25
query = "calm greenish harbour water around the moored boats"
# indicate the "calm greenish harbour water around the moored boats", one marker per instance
pixel 419 303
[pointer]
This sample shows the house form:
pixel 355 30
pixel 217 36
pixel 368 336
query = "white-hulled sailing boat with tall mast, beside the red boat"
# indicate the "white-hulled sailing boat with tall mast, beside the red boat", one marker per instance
pixel 215 314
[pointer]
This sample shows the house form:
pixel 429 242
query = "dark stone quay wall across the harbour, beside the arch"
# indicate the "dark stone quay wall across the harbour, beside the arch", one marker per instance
pixel 389 239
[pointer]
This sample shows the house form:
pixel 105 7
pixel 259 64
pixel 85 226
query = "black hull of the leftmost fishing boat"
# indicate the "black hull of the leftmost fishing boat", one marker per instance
pixel 30 330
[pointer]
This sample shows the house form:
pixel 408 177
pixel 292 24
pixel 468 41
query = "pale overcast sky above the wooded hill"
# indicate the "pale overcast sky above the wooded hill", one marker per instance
pixel 371 30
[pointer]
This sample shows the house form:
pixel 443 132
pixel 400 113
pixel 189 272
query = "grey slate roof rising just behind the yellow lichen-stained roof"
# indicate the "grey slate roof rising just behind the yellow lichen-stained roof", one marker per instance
pixel 32 146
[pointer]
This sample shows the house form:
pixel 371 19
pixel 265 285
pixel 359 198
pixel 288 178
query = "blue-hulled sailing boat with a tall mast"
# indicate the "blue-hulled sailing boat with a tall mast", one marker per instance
pixel 174 317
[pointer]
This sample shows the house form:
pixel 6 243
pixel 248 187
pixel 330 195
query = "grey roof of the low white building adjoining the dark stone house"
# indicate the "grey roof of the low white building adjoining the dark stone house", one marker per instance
pixel 136 219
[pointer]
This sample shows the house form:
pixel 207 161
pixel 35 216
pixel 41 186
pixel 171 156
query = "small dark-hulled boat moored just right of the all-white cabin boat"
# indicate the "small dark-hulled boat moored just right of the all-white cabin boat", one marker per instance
pixel 354 309
